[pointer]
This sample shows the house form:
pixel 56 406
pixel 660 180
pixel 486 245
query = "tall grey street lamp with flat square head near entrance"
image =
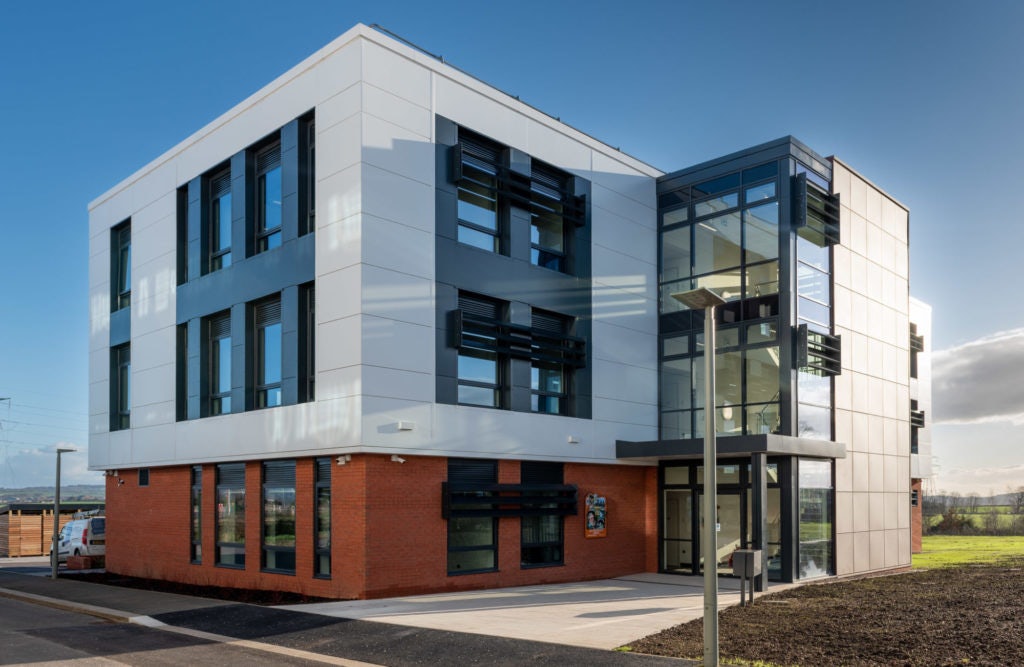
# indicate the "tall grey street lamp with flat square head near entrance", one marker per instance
pixel 704 300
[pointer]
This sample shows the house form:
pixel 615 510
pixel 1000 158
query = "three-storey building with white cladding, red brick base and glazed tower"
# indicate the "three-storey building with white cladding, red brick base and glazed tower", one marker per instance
pixel 428 332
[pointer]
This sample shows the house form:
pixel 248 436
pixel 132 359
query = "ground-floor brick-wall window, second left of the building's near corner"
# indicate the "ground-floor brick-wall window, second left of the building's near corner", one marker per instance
pixel 279 516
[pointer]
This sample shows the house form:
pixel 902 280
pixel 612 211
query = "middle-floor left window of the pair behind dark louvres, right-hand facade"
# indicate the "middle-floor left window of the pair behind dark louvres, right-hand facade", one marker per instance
pixel 481 367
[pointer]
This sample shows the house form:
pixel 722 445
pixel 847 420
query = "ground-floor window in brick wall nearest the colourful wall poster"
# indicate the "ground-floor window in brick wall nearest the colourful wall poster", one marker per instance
pixel 542 536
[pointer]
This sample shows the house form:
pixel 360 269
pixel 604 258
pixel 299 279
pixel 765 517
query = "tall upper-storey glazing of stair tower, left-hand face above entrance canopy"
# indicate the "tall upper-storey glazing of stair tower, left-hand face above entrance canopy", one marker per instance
pixel 724 235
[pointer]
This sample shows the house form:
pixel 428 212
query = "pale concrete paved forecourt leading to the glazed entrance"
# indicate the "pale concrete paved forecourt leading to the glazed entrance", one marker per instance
pixel 602 614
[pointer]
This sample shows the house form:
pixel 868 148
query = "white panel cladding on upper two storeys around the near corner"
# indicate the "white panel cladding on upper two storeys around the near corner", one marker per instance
pixel 375 103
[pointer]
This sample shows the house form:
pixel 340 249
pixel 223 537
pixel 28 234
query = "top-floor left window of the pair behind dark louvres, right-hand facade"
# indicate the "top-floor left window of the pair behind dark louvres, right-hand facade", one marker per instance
pixel 478 168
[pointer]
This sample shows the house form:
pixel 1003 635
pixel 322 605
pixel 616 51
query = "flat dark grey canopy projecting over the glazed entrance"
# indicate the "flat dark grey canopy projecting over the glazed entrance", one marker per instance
pixel 730 447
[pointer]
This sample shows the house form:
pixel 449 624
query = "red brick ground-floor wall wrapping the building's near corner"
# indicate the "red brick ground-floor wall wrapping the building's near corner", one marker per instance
pixel 389 534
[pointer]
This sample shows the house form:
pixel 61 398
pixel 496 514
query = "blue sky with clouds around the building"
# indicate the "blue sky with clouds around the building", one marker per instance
pixel 922 98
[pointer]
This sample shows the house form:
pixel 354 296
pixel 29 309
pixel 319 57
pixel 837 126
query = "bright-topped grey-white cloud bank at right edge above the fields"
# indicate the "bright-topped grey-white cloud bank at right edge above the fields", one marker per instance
pixel 980 382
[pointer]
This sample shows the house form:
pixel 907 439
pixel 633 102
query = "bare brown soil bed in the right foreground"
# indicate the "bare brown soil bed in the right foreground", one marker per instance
pixel 958 616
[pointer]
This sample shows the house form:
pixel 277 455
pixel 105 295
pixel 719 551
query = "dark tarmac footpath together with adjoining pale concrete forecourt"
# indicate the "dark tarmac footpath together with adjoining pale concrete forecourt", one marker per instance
pixel 572 624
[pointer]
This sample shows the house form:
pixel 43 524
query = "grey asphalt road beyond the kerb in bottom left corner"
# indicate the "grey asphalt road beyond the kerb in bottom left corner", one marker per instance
pixel 33 634
